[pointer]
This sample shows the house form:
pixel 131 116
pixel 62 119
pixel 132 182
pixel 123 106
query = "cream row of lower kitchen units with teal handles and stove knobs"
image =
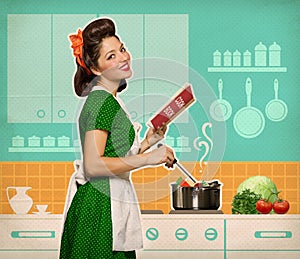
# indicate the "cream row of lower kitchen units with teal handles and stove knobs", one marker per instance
pixel 168 236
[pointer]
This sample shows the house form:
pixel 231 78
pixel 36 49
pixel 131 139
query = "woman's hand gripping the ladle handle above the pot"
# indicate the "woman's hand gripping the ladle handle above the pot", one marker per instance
pixel 163 154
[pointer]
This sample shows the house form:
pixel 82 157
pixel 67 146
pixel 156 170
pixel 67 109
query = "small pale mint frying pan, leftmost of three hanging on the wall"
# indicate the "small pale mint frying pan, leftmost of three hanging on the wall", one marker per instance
pixel 220 110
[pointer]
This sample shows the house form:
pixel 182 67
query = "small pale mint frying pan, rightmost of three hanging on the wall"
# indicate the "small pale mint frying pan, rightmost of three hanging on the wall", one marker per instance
pixel 276 110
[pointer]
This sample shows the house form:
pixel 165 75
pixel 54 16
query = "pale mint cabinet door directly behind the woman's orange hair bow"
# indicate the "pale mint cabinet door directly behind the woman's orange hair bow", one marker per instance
pixel 65 103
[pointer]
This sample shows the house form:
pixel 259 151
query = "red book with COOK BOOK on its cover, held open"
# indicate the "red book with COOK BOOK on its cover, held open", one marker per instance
pixel 177 104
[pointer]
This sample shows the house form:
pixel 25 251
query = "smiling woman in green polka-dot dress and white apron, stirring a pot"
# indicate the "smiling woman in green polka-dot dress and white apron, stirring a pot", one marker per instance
pixel 103 218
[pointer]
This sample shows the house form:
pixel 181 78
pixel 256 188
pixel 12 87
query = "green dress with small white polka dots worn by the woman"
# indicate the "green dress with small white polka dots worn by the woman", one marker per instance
pixel 88 226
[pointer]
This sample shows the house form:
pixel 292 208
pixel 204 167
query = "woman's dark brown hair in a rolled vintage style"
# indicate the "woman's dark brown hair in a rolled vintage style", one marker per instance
pixel 93 35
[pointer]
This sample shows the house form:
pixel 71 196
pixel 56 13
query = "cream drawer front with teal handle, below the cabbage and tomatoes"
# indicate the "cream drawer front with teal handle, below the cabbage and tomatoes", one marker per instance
pixel 262 236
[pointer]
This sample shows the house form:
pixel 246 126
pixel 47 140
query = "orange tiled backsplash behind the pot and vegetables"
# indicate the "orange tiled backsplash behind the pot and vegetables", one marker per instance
pixel 49 182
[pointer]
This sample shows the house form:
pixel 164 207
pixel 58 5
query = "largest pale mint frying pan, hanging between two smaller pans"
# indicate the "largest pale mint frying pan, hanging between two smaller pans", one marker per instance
pixel 249 122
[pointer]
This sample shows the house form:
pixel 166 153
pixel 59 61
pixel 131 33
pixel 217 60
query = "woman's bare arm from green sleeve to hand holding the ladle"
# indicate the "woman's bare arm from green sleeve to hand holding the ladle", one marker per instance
pixel 96 164
